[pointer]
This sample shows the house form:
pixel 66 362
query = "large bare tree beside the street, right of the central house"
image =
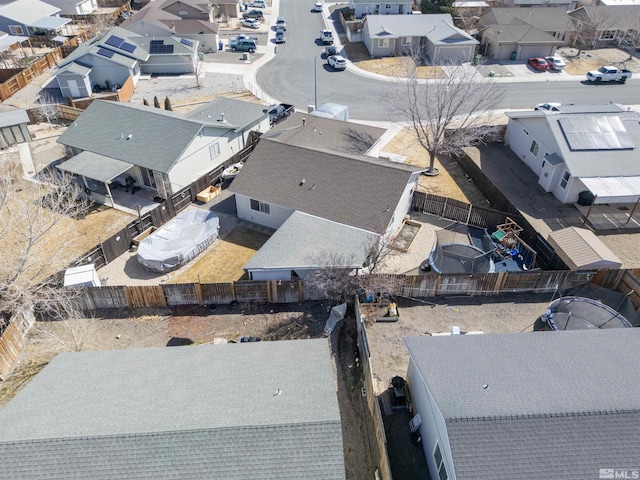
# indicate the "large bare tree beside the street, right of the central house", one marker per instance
pixel 461 100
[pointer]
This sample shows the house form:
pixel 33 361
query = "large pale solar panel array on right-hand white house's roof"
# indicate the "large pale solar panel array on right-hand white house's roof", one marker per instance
pixel 595 133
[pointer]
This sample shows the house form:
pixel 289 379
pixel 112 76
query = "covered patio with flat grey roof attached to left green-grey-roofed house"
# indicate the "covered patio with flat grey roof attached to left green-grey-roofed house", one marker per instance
pixel 109 181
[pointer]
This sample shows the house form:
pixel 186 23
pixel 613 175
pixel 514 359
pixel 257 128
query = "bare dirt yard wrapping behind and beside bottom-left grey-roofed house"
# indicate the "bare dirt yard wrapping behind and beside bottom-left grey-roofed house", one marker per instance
pixel 123 329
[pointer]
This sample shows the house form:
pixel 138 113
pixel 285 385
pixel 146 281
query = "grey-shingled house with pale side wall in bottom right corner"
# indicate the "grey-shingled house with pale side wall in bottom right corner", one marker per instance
pixel 527 406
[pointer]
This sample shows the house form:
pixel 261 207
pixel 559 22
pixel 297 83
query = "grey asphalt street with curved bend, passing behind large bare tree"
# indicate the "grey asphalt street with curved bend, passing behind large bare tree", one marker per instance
pixel 291 77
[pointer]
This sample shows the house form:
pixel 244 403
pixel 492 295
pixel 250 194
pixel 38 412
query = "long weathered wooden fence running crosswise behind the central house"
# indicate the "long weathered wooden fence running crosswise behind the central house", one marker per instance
pixel 430 285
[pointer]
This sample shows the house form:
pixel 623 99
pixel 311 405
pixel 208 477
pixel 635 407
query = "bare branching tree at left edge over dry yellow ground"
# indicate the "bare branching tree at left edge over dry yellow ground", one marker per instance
pixel 34 230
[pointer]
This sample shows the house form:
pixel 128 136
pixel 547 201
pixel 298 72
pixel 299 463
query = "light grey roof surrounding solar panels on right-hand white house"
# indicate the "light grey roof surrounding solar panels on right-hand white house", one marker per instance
pixel 589 163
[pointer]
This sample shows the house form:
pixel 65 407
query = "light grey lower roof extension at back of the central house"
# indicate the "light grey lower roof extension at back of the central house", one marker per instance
pixel 303 239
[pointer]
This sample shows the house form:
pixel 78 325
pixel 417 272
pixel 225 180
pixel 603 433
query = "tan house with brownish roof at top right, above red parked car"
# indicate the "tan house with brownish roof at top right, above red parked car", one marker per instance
pixel 518 34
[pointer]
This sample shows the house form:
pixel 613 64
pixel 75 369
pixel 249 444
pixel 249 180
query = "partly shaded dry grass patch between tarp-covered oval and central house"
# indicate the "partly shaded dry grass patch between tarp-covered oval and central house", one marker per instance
pixel 223 262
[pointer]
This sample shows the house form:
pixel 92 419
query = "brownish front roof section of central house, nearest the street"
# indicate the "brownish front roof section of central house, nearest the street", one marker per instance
pixel 327 133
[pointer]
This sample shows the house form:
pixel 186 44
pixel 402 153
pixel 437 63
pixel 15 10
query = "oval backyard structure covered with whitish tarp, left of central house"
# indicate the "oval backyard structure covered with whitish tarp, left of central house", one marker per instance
pixel 179 241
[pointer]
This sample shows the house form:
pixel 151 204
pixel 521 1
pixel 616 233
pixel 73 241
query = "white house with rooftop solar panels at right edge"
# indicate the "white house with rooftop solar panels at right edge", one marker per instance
pixel 582 148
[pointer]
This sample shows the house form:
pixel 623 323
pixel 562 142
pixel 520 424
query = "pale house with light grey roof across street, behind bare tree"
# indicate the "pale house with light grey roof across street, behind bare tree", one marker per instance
pixel 432 35
